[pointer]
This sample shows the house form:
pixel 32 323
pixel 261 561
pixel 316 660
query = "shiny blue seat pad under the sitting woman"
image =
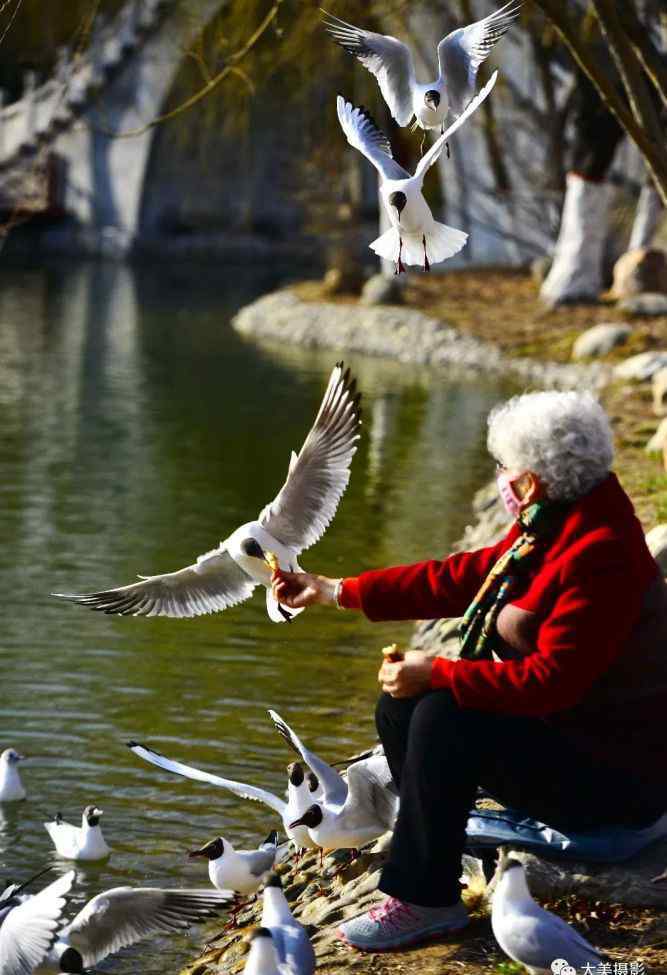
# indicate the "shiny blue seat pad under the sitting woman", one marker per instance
pixel 608 844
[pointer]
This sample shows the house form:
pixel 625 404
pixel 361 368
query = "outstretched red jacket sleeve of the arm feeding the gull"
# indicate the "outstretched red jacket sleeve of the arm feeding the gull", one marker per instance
pixel 425 590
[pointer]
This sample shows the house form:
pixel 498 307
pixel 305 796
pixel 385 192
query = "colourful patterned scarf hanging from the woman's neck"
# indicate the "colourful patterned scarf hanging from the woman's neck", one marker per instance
pixel 478 634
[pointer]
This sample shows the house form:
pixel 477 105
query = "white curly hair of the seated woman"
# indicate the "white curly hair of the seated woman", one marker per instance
pixel 564 438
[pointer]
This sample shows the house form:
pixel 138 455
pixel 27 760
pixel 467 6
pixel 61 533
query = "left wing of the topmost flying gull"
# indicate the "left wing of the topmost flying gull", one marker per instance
pixel 385 57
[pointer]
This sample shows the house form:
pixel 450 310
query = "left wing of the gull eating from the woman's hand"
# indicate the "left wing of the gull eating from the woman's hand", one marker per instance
pixel 215 582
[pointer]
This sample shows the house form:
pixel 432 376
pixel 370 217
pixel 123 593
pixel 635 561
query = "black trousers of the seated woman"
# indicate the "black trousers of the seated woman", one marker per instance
pixel 439 754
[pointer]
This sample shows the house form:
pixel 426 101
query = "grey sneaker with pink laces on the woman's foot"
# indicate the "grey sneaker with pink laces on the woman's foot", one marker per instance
pixel 395 924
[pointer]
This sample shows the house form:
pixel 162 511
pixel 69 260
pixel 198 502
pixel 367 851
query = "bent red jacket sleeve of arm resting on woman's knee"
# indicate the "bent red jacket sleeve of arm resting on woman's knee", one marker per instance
pixel 591 619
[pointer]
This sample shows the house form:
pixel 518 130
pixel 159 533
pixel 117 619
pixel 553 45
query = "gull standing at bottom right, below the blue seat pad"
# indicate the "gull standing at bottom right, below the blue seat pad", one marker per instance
pixel 527 933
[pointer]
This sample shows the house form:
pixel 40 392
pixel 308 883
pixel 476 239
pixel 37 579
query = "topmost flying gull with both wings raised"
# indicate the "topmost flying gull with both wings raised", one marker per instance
pixel 459 57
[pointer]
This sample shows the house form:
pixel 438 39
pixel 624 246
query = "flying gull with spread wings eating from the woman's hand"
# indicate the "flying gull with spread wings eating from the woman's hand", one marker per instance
pixel 296 518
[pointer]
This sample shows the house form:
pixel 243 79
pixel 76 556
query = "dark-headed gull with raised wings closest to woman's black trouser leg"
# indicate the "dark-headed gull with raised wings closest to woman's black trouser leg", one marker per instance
pixel 350 813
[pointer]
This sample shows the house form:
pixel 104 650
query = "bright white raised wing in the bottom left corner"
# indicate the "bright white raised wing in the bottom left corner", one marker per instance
pixel 29 930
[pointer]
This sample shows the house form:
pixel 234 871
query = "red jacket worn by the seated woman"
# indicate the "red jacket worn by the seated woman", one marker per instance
pixel 589 595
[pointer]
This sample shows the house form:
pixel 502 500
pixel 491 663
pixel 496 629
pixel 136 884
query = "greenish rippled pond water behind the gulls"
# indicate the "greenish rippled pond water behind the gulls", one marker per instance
pixel 136 430
